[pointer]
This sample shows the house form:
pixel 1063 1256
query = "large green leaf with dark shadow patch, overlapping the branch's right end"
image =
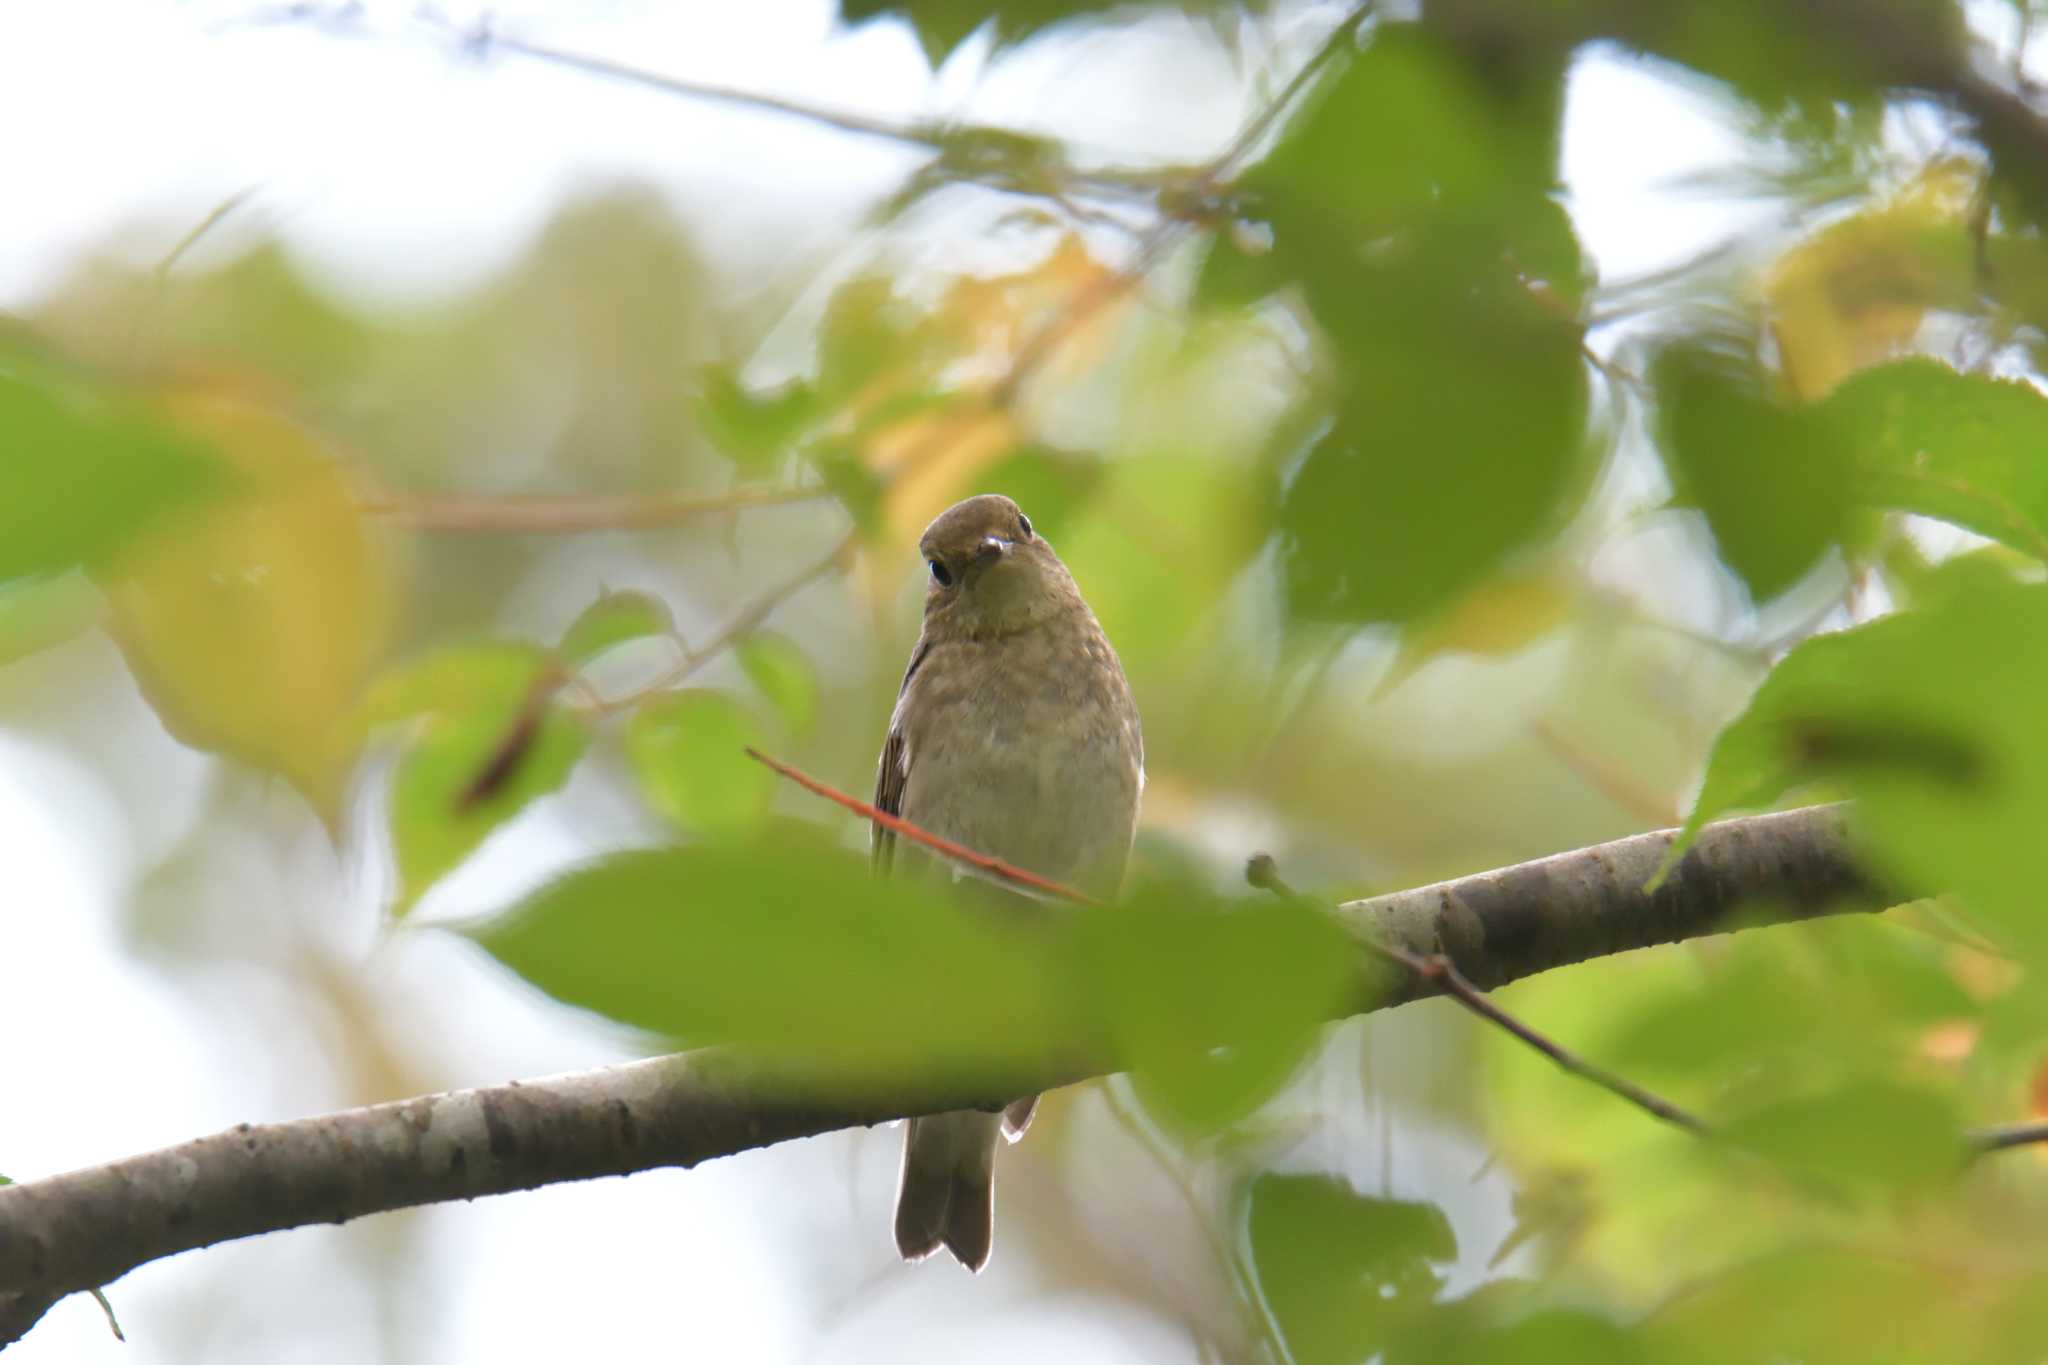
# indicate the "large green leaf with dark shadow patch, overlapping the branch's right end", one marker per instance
pixel 1932 721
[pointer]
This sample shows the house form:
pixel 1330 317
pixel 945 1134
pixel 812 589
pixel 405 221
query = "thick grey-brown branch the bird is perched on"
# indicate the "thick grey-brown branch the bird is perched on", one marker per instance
pixel 79 1231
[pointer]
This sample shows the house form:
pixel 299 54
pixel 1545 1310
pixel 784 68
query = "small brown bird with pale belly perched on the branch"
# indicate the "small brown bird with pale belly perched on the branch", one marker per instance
pixel 1015 736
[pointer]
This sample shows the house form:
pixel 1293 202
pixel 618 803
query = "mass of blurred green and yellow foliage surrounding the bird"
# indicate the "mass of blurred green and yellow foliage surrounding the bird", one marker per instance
pixel 1424 545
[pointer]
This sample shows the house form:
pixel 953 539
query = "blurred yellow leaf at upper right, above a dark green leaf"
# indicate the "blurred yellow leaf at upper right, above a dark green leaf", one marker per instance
pixel 1857 292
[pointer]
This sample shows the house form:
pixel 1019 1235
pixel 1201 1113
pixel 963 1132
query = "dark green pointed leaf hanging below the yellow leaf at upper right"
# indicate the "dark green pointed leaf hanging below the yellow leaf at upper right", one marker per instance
pixel 1773 482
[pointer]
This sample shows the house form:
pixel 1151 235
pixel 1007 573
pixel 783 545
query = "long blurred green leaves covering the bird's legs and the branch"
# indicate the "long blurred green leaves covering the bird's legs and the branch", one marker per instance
pixel 787 942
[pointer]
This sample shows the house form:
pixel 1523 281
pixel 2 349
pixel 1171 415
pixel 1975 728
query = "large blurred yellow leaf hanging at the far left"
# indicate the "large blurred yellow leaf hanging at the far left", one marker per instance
pixel 255 621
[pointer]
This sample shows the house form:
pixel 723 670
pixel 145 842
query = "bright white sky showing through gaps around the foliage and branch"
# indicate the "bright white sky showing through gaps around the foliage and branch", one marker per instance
pixel 400 171
